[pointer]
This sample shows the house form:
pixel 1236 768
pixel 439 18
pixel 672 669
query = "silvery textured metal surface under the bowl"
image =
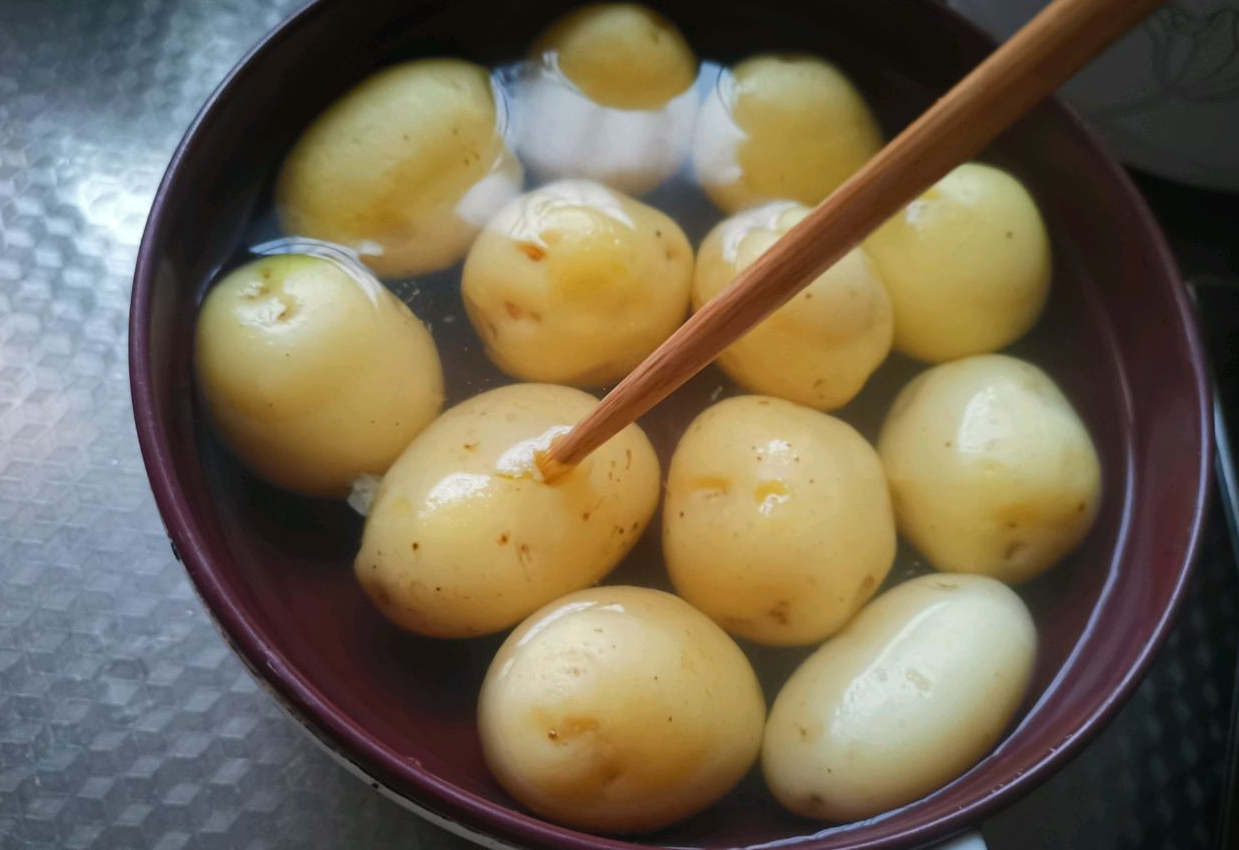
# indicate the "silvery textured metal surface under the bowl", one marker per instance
pixel 125 721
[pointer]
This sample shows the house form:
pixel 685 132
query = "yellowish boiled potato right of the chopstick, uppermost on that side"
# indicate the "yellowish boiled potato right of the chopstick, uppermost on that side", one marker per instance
pixel 967 266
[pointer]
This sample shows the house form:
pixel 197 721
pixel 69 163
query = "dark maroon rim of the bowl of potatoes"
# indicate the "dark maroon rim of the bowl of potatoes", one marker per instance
pixel 496 825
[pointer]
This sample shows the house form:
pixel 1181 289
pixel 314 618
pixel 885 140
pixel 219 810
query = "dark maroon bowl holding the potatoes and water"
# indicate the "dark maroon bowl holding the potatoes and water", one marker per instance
pixel 274 571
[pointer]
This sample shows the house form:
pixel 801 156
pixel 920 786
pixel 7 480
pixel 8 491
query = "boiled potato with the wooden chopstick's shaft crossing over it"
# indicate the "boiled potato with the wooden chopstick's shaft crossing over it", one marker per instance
pixel 821 348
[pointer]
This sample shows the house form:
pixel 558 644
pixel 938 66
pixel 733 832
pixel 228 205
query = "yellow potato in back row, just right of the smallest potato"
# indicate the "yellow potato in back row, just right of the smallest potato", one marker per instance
pixel 785 127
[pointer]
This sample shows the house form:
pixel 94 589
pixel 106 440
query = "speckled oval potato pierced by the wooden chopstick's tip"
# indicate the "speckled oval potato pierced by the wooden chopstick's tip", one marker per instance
pixel 464 537
